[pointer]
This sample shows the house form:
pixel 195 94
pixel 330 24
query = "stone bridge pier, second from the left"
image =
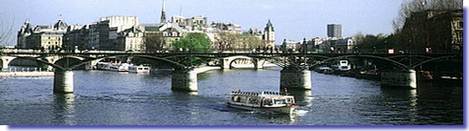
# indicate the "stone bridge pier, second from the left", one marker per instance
pixel 184 80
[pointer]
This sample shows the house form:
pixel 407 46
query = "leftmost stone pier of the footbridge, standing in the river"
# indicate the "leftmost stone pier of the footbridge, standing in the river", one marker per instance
pixel 63 81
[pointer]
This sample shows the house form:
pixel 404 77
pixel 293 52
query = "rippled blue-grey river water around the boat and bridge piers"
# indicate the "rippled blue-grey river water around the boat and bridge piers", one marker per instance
pixel 112 98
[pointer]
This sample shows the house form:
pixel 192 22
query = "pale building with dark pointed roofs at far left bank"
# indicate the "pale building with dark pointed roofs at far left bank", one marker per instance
pixel 42 36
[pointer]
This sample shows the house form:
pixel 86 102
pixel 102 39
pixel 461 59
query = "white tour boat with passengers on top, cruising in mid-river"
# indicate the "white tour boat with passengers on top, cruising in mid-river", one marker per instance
pixel 268 102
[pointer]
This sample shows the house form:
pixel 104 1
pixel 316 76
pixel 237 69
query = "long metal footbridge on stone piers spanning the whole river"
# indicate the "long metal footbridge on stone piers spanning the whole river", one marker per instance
pixel 295 73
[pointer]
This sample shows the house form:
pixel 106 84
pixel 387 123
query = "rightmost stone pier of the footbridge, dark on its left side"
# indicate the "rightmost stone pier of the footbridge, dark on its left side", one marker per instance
pixel 399 79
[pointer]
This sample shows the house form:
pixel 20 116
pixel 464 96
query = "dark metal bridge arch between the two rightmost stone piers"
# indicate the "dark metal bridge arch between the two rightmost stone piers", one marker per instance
pixel 395 63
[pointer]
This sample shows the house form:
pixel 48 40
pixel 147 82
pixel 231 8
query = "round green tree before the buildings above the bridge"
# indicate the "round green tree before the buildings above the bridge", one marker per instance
pixel 196 42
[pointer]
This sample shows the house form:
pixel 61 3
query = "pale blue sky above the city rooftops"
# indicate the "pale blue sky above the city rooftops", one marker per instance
pixel 292 19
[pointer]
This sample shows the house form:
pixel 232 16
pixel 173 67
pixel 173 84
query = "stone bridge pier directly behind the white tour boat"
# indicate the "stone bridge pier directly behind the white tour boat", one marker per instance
pixel 295 79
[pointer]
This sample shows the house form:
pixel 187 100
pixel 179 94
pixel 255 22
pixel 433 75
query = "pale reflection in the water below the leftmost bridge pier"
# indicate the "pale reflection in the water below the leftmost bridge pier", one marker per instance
pixel 64 105
